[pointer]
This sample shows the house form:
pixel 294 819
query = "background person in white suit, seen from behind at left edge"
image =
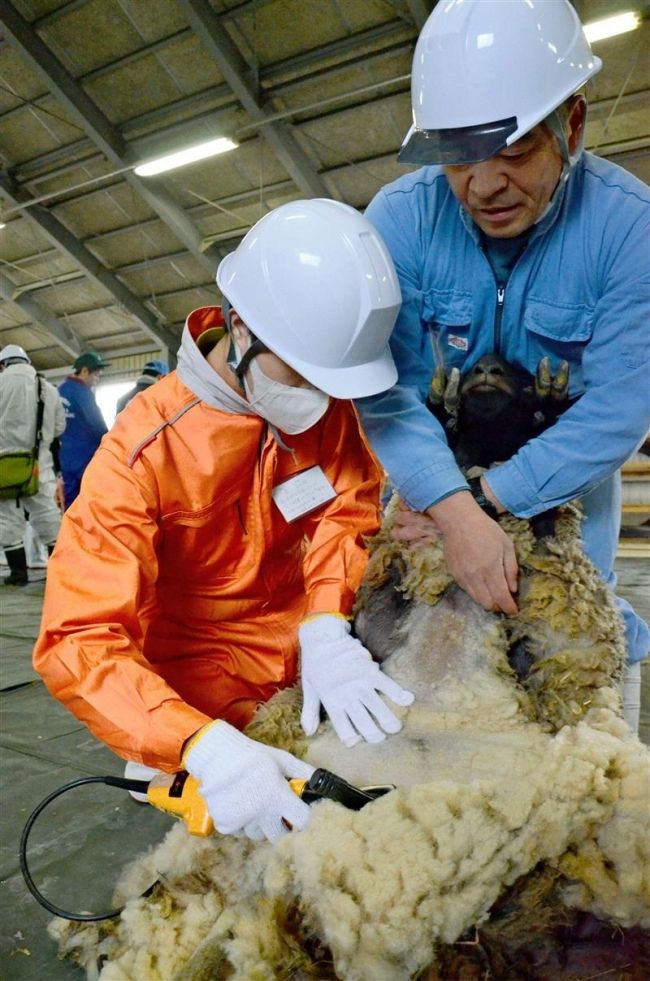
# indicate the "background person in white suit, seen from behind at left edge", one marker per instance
pixel 18 414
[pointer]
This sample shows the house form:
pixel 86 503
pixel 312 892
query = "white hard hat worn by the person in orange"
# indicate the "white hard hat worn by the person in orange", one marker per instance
pixel 314 281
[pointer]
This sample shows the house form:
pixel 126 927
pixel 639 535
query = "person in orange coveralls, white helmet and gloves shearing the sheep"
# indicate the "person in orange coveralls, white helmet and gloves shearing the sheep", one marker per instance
pixel 219 530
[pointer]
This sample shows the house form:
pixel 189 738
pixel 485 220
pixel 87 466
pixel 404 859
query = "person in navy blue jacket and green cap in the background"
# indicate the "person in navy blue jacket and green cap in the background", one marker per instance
pixel 85 425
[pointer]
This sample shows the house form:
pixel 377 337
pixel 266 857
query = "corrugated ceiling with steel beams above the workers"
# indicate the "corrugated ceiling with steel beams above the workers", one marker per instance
pixel 95 257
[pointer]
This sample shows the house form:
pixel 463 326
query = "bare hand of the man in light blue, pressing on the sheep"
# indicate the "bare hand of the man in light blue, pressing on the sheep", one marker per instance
pixel 479 554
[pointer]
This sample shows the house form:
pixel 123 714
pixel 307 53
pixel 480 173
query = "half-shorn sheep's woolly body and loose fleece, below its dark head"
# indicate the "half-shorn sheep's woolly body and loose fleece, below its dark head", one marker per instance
pixel 503 768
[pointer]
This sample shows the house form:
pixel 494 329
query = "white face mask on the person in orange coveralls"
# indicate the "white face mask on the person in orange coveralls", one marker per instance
pixel 290 409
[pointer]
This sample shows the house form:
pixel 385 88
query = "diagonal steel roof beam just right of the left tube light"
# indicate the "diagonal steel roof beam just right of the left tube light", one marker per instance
pixel 221 47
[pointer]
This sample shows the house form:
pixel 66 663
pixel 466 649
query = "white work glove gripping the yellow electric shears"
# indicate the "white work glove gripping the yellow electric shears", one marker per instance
pixel 245 783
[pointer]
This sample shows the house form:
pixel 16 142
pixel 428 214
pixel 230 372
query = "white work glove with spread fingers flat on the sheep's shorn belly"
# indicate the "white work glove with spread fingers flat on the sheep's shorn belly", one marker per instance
pixel 338 672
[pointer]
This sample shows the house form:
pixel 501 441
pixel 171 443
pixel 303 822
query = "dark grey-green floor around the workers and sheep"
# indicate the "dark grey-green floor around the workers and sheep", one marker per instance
pixel 83 839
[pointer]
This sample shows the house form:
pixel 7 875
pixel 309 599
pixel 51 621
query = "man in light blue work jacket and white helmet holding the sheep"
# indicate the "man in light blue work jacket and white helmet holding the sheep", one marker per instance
pixel 515 241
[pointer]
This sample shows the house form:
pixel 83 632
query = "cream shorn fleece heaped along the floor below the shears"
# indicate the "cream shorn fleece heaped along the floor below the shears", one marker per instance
pixel 382 886
